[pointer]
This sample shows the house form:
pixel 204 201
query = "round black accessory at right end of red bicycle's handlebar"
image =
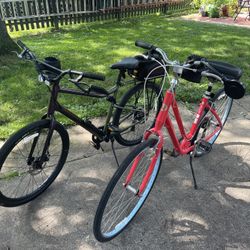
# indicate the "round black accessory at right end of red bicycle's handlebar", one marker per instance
pixel 234 89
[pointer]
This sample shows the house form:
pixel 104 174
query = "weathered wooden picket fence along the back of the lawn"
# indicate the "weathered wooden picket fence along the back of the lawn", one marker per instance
pixel 32 14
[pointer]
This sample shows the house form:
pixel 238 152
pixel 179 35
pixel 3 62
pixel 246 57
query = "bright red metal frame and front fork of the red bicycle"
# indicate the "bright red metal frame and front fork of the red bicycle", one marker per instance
pixel 186 144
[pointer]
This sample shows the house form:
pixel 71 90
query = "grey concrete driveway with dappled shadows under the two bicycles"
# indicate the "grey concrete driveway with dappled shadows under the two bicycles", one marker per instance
pixel 175 216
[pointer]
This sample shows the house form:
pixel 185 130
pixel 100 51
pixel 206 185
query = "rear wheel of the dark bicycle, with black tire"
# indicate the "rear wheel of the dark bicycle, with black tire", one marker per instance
pixel 134 116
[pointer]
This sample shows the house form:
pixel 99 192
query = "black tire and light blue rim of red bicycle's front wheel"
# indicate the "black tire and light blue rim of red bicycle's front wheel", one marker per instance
pixel 110 191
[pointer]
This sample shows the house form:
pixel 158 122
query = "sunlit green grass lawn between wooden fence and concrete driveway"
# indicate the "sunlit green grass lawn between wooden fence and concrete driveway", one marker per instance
pixel 94 47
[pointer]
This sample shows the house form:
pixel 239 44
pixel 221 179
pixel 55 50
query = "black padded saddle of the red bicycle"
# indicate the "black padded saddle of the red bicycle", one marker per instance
pixel 226 69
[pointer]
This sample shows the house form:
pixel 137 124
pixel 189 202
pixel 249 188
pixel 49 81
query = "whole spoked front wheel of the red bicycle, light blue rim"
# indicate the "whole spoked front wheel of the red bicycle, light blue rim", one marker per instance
pixel 120 203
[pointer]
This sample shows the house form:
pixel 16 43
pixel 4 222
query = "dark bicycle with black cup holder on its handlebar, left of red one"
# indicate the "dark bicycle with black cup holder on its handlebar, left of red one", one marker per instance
pixel 32 158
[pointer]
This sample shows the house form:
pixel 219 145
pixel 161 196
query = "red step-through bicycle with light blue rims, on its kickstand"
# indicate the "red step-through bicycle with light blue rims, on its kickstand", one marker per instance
pixel 133 181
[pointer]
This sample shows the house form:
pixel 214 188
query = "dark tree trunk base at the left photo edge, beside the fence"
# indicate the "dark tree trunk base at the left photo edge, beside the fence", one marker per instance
pixel 6 43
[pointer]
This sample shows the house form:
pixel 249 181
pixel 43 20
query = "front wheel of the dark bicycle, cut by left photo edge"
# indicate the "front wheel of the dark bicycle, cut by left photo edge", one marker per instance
pixel 23 178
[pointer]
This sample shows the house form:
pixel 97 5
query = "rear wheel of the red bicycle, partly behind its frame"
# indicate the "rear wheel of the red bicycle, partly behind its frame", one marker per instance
pixel 223 105
